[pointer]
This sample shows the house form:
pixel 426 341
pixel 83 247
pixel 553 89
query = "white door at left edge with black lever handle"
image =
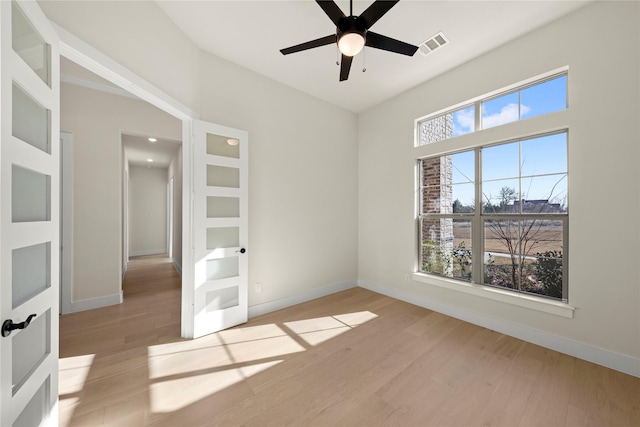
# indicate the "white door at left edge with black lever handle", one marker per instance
pixel 29 216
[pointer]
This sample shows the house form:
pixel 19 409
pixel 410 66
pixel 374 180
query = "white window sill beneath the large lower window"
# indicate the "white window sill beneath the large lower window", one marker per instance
pixel 522 300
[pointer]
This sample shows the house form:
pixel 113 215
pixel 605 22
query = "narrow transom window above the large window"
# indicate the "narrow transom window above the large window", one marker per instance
pixel 525 101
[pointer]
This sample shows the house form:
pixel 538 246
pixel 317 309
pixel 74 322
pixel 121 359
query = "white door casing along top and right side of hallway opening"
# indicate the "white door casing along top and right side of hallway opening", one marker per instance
pixel 83 54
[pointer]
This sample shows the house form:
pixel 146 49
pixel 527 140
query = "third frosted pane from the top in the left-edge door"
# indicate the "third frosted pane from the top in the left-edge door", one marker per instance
pixel 30 192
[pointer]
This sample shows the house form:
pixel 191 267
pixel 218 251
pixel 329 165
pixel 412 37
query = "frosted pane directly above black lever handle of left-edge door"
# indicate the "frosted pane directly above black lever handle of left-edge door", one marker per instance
pixel 31 268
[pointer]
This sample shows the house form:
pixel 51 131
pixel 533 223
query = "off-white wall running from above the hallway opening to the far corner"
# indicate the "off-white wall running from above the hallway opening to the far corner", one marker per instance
pixel 302 154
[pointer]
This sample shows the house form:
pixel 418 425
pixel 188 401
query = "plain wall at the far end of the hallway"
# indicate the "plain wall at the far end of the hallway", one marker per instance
pixel 147 210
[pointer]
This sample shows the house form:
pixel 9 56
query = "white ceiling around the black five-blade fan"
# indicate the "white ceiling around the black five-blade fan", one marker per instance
pixel 251 33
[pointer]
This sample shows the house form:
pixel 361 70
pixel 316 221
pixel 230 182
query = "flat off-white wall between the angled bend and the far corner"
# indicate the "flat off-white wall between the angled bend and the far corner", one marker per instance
pixel 302 180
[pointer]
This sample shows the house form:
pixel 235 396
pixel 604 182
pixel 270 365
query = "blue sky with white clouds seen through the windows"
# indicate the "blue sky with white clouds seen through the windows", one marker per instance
pixel 540 162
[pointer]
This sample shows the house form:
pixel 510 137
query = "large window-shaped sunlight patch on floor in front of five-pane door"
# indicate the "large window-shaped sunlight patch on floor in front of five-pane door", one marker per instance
pixel 184 372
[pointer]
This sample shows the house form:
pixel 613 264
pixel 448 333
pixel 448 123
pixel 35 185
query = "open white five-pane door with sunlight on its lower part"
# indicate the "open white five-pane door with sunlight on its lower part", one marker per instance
pixel 220 234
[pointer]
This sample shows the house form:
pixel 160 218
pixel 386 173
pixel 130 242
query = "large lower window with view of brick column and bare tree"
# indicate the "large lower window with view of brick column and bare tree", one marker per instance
pixel 497 215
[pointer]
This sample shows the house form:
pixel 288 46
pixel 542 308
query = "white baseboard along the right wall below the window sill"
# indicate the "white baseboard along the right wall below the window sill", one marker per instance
pixel 609 359
